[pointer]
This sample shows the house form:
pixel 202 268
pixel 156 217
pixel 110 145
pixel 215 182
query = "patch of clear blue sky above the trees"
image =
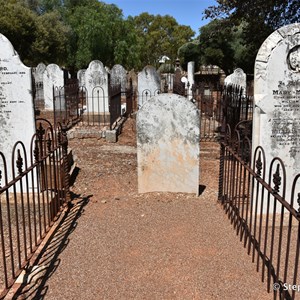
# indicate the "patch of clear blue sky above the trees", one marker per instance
pixel 186 12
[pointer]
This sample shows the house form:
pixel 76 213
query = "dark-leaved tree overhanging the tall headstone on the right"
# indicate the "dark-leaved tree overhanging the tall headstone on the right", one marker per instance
pixel 258 18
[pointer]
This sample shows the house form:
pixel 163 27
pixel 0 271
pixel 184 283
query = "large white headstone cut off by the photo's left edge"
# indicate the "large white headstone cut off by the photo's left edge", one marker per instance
pixel 16 103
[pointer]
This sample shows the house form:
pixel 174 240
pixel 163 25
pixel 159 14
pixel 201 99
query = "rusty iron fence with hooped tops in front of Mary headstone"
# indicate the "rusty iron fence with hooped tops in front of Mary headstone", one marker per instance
pixel 252 192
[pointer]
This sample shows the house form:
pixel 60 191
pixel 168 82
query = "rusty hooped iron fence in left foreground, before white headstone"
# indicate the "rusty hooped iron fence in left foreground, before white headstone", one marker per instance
pixel 33 198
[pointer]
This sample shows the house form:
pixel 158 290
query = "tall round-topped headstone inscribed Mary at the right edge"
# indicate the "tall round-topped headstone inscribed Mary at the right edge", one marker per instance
pixel 276 119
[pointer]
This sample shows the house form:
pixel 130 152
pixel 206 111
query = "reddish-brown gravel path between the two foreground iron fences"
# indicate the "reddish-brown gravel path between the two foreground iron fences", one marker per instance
pixel 117 244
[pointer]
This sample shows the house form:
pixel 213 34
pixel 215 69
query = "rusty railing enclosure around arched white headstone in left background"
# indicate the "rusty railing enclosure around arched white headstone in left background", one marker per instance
pixel 73 105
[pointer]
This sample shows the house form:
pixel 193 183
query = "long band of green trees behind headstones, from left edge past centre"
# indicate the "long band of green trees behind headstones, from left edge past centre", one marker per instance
pixel 72 33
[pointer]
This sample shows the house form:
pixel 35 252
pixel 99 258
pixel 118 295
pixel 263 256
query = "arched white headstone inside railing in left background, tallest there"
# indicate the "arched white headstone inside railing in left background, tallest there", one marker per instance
pixel 96 79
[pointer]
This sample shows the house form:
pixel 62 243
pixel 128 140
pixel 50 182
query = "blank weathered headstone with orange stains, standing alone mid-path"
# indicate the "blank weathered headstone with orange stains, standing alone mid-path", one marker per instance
pixel 168 135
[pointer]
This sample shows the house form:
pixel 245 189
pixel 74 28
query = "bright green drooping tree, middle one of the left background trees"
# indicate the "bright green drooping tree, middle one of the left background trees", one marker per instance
pixel 96 29
